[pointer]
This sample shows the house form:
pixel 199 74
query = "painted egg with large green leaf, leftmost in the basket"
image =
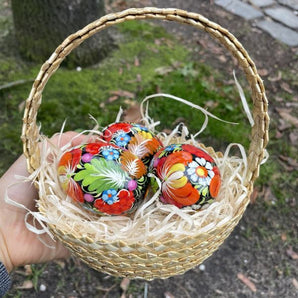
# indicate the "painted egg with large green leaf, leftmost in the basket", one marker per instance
pixel 103 178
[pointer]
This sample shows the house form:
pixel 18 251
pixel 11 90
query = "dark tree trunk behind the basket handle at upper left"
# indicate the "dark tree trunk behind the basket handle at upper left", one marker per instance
pixel 41 25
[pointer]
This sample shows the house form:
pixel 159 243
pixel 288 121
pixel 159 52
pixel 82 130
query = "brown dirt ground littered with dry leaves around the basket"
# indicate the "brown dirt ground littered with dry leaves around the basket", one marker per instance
pixel 258 259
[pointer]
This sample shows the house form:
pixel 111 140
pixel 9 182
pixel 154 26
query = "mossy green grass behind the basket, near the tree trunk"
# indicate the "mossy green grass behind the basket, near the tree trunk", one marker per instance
pixel 74 95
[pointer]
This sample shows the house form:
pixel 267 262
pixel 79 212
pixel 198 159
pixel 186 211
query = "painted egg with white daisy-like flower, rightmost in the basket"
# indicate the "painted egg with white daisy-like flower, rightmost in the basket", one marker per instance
pixel 189 175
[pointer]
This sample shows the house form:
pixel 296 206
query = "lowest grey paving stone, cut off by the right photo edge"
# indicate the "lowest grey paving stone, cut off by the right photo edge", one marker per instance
pixel 280 32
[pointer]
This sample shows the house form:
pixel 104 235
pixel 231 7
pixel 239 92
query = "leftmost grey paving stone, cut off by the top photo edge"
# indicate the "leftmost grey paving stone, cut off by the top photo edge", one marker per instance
pixel 239 8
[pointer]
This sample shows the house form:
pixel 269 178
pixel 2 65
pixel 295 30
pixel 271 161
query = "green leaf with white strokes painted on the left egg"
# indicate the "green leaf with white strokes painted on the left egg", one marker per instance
pixel 101 174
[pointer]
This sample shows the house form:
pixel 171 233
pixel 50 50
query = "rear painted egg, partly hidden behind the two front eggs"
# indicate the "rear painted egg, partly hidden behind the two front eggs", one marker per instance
pixel 136 138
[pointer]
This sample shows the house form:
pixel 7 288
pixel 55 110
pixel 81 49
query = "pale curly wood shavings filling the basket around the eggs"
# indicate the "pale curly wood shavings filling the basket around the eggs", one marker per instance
pixel 153 220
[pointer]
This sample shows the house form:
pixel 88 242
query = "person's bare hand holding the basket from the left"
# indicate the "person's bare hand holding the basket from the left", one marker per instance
pixel 18 245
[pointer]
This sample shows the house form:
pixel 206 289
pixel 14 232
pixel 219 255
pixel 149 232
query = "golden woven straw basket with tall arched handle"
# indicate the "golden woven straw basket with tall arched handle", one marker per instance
pixel 158 259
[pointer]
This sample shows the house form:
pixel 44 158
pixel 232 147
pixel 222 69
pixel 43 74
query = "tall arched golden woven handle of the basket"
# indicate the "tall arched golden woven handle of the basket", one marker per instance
pixel 259 132
